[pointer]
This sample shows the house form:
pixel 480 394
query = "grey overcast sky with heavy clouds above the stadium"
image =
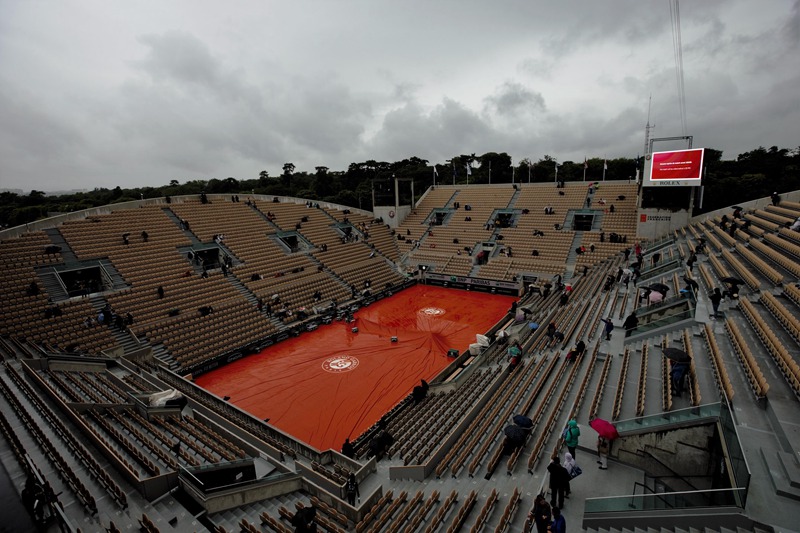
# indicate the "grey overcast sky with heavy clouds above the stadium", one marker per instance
pixel 98 93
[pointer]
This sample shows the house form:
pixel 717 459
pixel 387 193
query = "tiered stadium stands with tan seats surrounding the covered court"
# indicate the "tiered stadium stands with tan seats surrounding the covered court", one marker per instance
pixel 192 283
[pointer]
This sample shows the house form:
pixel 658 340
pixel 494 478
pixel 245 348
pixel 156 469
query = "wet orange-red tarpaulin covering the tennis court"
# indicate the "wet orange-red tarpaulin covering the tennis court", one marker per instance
pixel 331 383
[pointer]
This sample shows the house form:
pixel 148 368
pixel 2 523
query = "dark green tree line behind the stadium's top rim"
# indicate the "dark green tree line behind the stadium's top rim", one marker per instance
pixel 753 174
